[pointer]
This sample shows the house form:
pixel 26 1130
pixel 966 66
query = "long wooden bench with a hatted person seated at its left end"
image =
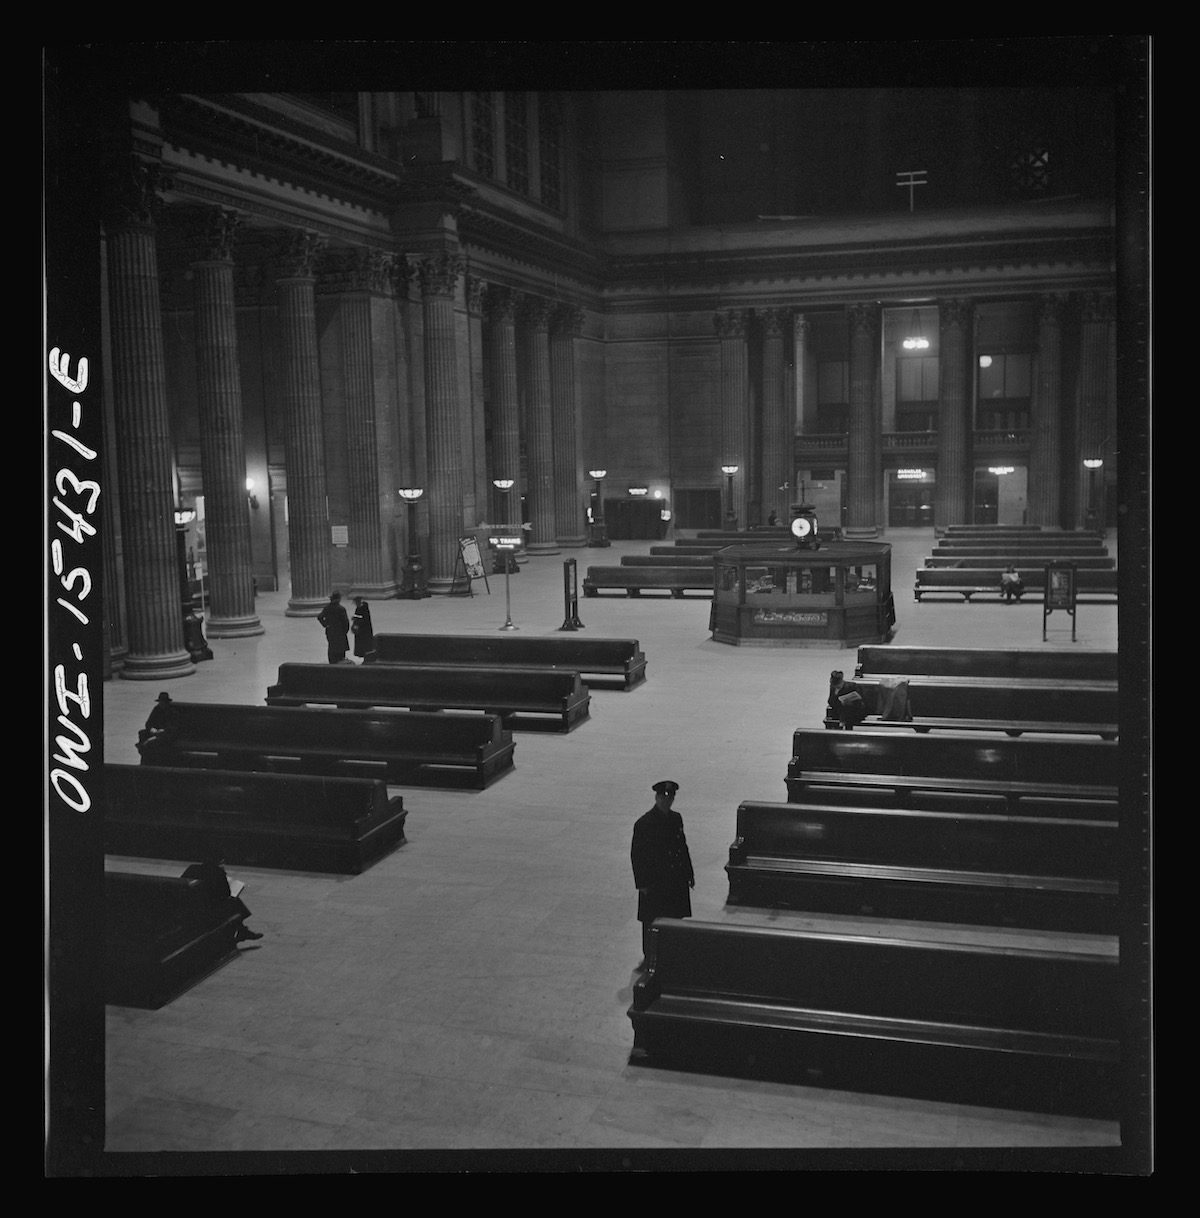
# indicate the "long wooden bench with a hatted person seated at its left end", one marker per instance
pixel 414 748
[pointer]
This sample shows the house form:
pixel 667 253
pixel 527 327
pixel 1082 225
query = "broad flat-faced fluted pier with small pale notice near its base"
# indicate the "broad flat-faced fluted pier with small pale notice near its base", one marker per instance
pixel 362 281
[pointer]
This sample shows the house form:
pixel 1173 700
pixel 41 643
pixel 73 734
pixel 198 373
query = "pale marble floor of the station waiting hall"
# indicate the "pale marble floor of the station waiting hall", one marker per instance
pixel 462 1004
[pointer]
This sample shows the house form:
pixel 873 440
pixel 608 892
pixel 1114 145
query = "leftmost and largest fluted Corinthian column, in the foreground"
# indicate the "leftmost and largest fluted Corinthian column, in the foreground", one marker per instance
pixel 144 456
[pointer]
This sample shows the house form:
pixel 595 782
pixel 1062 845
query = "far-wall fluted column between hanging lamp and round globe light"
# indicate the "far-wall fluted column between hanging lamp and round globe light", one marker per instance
pixel 956 493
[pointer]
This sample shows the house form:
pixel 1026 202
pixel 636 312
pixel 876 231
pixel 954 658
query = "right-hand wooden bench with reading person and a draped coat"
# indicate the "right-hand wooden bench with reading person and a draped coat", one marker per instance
pixel 1013 706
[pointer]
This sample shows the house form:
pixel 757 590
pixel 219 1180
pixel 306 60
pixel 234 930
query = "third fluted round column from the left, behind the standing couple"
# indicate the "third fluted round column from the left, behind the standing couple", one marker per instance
pixel 308 509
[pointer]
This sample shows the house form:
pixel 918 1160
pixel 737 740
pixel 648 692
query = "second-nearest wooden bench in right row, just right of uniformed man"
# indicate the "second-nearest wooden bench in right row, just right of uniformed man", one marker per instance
pixel 986 869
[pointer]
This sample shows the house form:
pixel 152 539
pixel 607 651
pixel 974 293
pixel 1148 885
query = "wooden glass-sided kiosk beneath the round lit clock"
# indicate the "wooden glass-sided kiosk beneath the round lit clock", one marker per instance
pixel 838 595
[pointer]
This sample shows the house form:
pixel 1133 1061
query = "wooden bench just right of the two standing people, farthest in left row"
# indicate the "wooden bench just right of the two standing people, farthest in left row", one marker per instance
pixel 605 658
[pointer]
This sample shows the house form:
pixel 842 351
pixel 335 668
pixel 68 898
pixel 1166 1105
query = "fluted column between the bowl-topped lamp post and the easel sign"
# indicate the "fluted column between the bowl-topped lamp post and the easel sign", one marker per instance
pixel 439 277
